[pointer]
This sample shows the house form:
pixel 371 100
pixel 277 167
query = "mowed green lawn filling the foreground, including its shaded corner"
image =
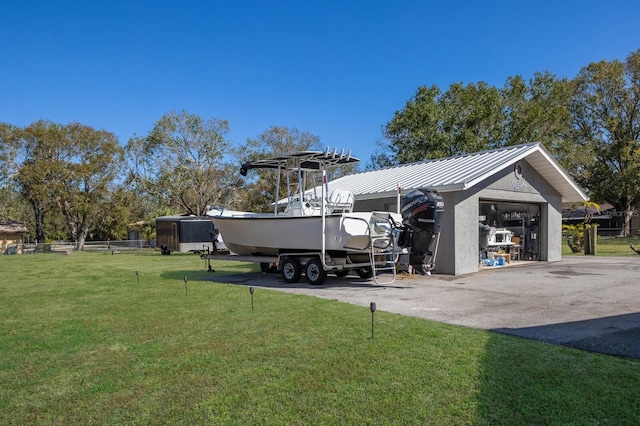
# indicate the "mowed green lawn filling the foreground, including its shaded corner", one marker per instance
pixel 83 342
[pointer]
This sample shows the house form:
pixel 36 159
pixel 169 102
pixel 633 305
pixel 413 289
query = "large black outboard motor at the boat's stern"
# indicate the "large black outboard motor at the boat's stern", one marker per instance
pixel 422 211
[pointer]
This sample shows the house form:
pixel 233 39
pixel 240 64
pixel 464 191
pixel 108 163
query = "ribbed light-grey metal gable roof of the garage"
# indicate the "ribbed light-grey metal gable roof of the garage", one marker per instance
pixel 459 173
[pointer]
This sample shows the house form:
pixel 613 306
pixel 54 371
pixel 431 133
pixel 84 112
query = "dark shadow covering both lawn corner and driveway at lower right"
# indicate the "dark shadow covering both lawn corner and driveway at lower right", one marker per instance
pixel 519 385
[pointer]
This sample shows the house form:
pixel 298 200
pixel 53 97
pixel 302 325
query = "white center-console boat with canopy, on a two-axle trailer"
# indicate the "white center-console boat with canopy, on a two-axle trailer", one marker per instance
pixel 311 230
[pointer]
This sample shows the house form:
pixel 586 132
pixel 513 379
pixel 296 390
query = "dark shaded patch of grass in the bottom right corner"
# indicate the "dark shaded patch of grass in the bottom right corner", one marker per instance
pixel 526 382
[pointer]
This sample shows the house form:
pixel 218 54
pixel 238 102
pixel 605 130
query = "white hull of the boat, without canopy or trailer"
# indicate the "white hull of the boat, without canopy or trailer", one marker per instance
pixel 269 235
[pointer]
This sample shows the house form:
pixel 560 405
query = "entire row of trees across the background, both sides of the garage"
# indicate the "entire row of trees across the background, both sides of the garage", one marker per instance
pixel 74 182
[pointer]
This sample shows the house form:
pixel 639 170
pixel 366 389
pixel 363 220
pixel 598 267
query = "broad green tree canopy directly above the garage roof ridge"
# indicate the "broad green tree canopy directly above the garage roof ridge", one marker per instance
pixel 475 117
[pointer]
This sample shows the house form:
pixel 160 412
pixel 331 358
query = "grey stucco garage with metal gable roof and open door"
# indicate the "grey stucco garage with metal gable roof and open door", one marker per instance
pixel 518 190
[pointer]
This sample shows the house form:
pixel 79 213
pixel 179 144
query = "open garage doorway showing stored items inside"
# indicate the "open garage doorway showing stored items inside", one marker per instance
pixel 510 229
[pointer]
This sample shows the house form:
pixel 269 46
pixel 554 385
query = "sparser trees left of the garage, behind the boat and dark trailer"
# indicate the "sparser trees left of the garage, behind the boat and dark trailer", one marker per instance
pixel 73 182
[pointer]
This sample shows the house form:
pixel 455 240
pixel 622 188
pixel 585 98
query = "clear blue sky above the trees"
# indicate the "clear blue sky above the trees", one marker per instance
pixel 336 69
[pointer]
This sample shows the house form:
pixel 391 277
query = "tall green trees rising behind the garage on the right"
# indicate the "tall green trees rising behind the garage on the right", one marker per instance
pixel 590 124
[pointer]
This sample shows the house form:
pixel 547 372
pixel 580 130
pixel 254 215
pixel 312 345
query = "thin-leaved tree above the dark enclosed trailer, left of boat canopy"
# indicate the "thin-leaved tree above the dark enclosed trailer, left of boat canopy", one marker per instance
pixel 181 161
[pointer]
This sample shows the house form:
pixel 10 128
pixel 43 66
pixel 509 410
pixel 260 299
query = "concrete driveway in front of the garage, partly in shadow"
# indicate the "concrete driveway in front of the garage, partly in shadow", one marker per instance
pixel 591 303
